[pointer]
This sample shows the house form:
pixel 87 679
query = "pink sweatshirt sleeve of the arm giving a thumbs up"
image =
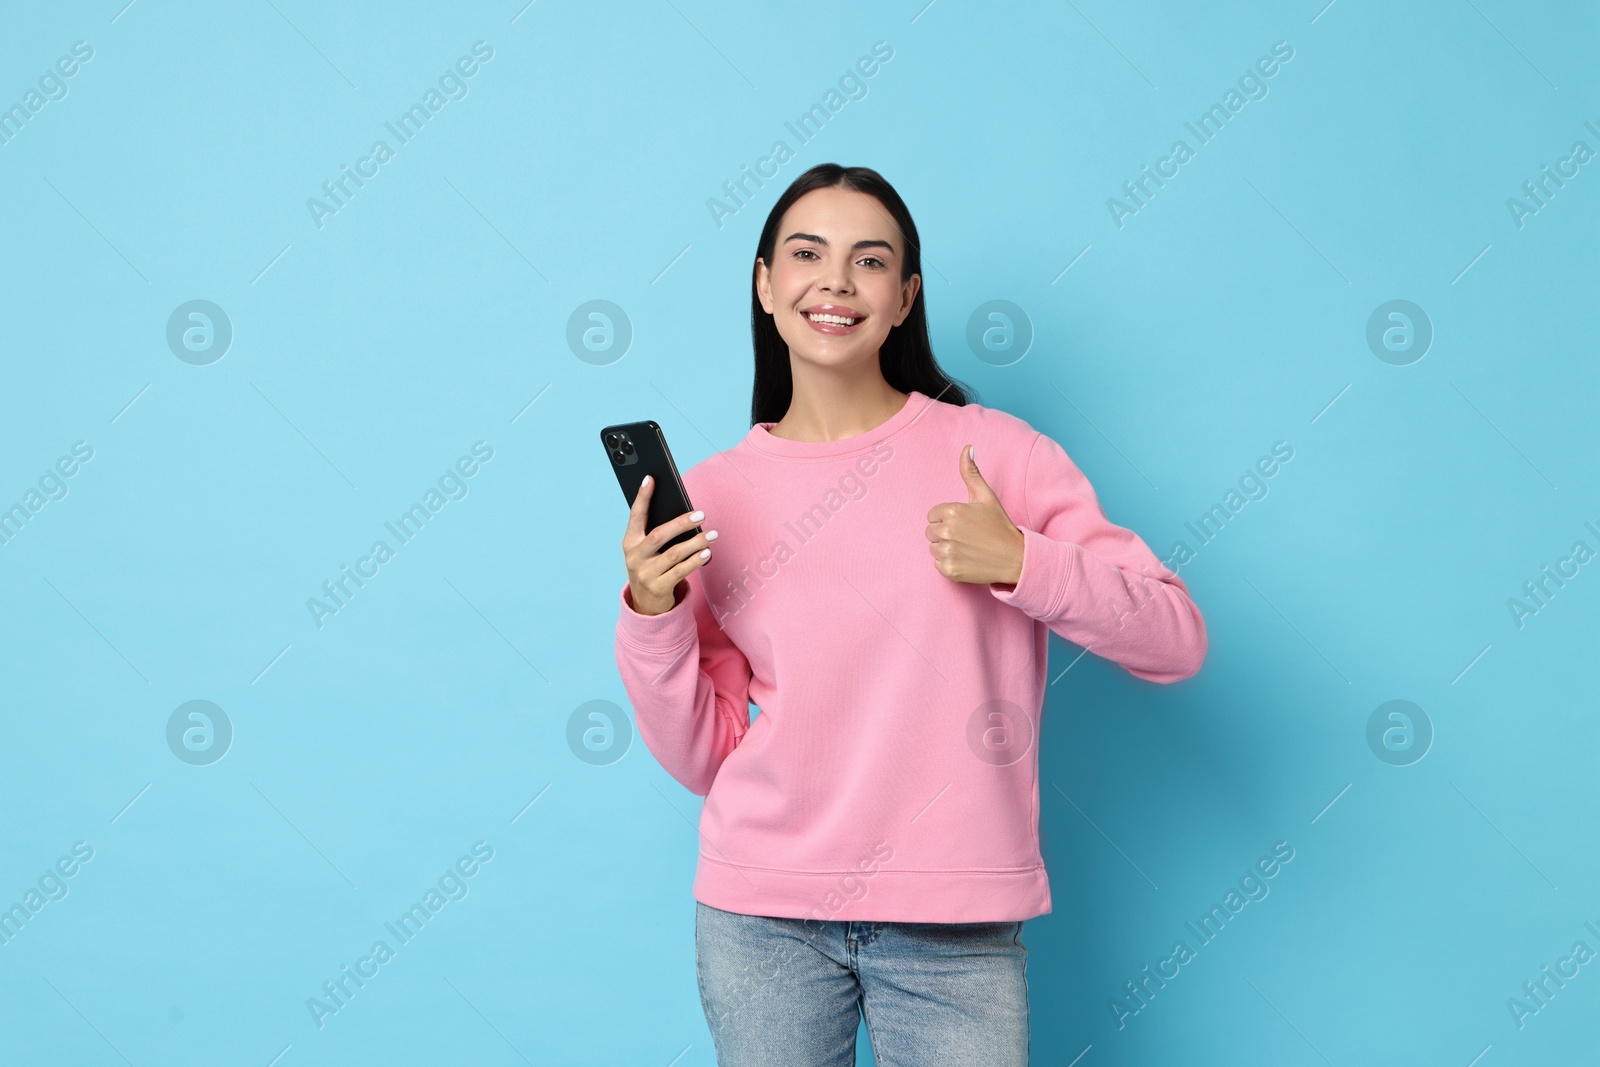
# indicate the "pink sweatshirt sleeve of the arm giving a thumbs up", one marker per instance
pixel 1095 583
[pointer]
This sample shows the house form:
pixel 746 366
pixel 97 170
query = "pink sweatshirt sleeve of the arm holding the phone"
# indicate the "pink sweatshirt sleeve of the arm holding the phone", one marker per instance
pixel 689 682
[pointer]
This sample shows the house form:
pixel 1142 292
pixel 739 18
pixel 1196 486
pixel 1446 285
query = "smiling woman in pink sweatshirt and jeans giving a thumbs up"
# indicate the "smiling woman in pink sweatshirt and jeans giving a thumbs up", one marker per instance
pixel 870 844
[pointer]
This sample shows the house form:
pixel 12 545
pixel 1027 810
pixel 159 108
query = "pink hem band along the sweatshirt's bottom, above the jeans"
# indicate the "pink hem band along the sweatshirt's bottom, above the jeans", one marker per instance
pixel 1006 895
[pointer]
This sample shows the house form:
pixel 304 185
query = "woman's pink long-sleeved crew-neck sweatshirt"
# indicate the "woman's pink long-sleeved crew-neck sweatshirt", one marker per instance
pixel 892 773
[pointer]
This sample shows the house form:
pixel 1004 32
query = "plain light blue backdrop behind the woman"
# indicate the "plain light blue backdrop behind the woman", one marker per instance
pixel 433 311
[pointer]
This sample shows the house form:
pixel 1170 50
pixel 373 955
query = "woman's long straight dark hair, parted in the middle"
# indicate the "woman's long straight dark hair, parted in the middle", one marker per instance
pixel 906 358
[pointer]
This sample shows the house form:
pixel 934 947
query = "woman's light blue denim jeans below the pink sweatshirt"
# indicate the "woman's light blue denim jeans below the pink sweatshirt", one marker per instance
pixel 788 993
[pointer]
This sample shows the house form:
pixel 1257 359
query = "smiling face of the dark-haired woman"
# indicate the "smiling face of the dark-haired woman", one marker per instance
pixel 839 254
